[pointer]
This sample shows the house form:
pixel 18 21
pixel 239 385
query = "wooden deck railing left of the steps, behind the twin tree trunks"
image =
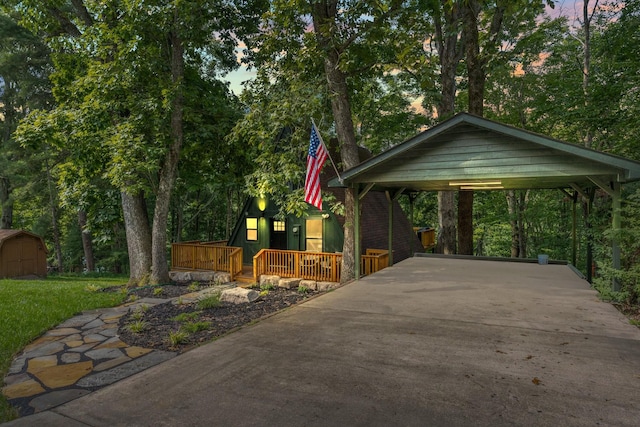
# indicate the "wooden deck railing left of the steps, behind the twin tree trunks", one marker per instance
pixel 214 256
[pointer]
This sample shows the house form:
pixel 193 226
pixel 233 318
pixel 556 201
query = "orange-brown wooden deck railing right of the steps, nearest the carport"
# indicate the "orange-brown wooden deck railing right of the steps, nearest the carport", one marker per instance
pixel 319 266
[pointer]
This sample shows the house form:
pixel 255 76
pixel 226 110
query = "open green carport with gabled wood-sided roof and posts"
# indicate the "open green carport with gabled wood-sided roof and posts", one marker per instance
pixel 468 152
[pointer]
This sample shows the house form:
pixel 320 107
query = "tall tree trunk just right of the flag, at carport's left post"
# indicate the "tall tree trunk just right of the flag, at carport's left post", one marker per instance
pixel 324 13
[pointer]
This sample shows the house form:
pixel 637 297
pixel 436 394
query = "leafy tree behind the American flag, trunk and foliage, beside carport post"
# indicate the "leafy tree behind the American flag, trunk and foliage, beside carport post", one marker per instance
pixel 348 45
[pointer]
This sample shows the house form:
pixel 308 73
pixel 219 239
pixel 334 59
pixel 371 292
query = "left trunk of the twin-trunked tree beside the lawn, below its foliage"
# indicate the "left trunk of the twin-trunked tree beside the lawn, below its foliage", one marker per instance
pixel 136 223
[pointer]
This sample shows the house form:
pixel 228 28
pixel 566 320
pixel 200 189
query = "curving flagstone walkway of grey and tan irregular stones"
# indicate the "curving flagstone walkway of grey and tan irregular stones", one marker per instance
pixel 77 357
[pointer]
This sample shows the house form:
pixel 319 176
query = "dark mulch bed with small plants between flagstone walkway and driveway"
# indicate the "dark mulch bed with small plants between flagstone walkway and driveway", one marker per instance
pixel 164 321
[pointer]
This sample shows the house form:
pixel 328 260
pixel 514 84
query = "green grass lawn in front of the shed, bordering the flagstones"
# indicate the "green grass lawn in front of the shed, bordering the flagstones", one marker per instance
pixel 28 308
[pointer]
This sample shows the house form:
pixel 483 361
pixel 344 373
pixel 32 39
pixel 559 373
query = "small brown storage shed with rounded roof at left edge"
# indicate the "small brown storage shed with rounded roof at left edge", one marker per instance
pixel 22 254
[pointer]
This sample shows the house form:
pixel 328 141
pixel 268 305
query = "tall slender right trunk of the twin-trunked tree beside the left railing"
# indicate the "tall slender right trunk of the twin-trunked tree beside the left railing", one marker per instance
pixel 160 268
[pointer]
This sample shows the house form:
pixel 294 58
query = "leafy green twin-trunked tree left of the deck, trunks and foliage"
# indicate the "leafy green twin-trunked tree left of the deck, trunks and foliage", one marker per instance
pixel 128 61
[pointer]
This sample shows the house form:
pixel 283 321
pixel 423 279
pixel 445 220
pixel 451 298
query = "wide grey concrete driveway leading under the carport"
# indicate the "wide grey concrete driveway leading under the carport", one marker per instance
pixel 430 341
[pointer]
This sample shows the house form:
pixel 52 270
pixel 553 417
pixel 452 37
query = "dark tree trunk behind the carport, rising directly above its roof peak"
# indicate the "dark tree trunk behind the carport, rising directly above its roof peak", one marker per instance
pixel 449 50
